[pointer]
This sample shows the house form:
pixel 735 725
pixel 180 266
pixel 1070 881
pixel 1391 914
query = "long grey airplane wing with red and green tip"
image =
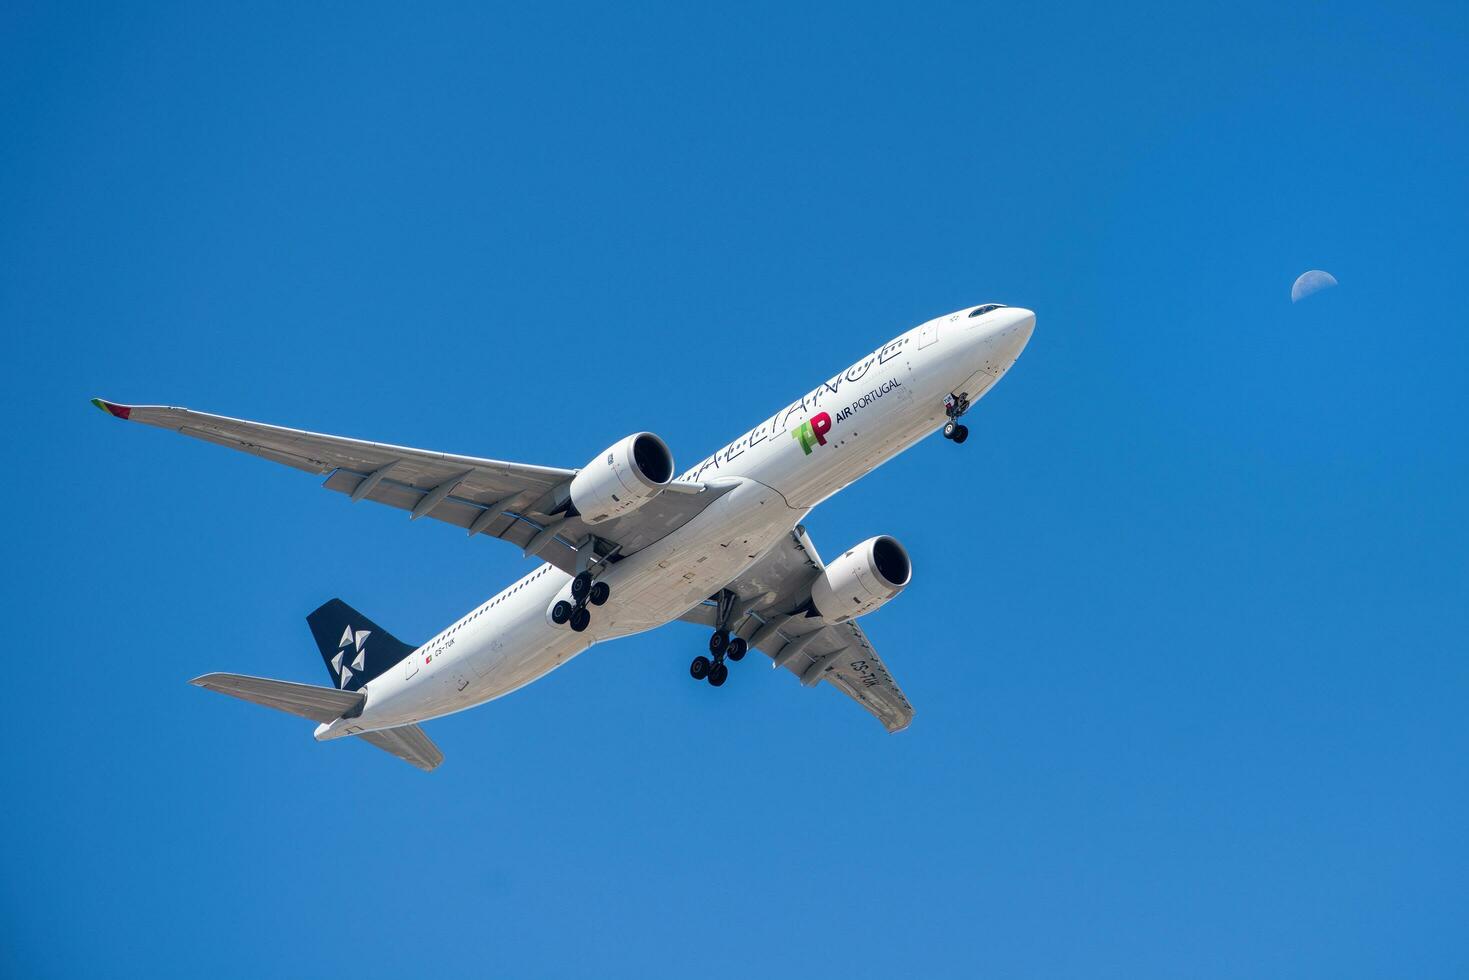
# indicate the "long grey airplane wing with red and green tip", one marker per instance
pixel 513 502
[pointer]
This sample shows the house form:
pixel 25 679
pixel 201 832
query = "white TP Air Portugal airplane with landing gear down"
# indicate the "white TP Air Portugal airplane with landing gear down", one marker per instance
pixel 628 544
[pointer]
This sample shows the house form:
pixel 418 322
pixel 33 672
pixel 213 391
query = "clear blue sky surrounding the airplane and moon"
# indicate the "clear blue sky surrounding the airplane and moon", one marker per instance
pixel 1188 631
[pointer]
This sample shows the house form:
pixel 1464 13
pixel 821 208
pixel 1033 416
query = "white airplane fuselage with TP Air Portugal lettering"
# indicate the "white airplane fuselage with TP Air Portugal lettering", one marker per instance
pixel 781 469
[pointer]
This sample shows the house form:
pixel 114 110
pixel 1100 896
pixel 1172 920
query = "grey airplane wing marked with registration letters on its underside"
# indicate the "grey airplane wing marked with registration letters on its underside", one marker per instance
pixel 770 593
